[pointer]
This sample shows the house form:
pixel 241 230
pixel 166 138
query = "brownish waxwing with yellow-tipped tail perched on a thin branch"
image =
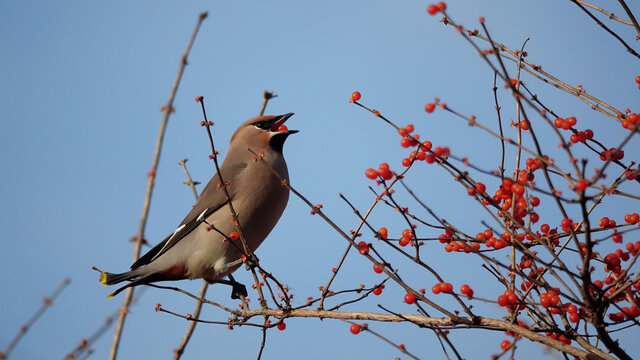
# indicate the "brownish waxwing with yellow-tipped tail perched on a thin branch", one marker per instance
pixel 202 245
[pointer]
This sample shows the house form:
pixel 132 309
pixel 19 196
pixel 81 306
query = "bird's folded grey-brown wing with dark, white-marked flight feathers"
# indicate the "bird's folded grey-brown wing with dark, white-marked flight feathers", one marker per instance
pixel 212 199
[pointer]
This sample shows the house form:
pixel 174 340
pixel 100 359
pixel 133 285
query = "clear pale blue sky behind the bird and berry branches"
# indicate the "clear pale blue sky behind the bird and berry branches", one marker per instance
pixel 80 92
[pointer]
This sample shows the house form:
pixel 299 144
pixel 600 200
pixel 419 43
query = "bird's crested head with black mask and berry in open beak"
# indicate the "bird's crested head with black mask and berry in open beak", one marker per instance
pixel 263 131
